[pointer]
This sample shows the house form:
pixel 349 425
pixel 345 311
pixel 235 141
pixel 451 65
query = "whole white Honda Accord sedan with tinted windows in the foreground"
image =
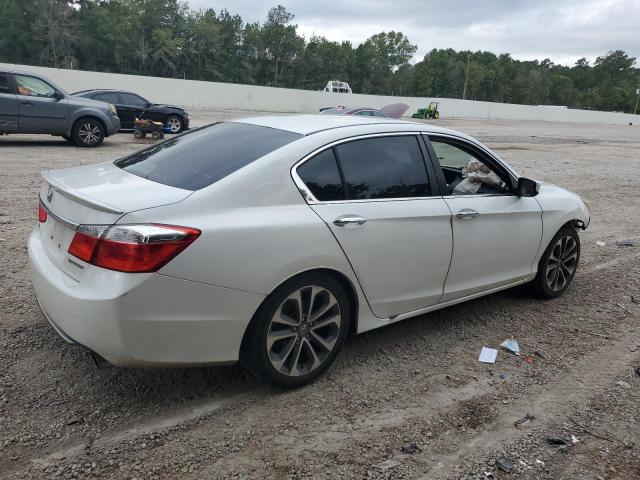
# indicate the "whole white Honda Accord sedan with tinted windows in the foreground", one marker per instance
pixel 270 240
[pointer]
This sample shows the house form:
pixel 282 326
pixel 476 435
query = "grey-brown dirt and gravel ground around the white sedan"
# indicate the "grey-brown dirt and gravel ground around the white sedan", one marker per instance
pixel 407 401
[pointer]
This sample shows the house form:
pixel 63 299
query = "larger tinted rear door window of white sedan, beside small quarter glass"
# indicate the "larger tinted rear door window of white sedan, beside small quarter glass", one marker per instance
pixel 384 167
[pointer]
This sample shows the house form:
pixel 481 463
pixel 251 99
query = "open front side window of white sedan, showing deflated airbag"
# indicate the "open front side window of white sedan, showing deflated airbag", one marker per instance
pixel 465 172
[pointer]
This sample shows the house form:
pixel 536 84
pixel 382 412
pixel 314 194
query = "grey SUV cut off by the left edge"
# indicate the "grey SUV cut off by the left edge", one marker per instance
pixel 31 103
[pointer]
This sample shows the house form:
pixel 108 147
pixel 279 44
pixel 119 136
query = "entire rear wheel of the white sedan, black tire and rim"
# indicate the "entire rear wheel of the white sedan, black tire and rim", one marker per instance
pixel 298 331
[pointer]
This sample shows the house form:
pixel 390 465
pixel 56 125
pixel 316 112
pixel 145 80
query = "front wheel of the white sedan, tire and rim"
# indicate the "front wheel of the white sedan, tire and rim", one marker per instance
pixel 562 270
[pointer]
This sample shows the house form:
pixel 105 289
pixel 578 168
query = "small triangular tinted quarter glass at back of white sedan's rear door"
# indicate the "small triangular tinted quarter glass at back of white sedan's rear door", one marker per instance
pixel 321 175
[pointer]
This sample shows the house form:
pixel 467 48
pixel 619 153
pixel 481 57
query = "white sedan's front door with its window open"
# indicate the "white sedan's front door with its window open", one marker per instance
pixel 496 233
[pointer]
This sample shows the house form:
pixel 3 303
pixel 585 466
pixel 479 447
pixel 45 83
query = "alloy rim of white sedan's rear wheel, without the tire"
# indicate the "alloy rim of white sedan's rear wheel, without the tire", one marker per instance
pixel 303 331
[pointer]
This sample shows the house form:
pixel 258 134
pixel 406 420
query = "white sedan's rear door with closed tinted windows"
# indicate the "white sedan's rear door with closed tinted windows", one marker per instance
pixel 380 203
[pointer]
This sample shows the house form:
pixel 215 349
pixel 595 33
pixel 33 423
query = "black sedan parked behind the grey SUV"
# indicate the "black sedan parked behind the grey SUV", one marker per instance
pixel 131 106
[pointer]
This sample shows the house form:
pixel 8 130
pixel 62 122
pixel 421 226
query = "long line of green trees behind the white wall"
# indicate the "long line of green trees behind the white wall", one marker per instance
pixel 166 38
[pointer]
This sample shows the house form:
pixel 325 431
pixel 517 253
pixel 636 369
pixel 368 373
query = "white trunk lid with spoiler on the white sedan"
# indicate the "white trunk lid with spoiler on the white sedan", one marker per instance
pixel 93 195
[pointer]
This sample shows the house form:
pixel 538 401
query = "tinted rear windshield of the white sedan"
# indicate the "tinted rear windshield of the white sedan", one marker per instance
pixel 201 157
